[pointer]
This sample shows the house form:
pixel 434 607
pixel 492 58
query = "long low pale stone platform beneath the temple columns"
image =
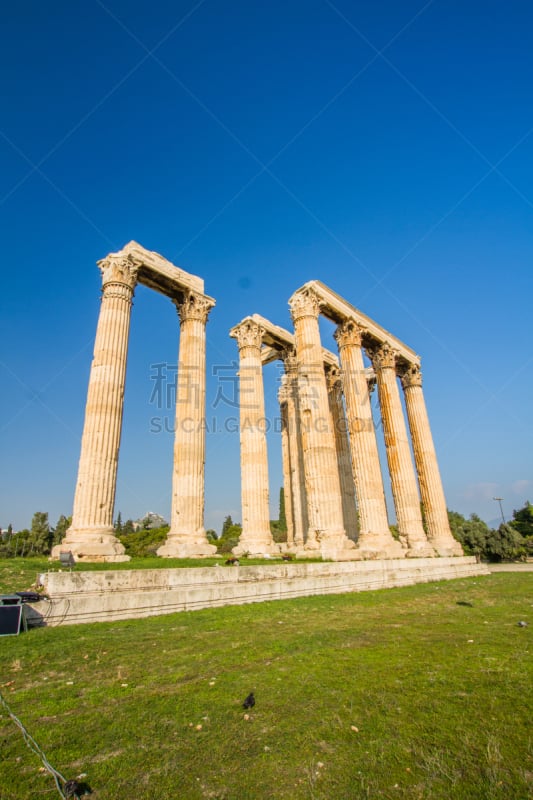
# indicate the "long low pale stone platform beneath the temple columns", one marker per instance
pixel 75 597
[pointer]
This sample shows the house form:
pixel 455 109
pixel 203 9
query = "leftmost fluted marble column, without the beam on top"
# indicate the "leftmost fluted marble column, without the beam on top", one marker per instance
pixel 91 534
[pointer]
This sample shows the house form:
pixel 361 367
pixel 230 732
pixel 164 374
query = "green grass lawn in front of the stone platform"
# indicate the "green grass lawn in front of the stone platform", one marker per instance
pixel 399 693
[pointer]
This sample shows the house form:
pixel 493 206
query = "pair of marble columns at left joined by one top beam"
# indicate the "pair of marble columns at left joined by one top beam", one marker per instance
pixel 91 534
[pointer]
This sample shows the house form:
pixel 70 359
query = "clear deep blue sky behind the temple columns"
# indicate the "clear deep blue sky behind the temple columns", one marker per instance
pixel 382 147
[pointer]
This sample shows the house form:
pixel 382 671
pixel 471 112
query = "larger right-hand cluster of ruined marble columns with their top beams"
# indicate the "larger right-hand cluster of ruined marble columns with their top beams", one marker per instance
pixel 334 493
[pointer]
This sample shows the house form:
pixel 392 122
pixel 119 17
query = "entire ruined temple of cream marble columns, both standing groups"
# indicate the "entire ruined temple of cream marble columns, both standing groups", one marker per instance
pixel 335 499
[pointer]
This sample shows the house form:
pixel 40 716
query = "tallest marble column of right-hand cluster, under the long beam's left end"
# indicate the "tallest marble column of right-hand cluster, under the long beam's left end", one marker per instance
pixel 326 531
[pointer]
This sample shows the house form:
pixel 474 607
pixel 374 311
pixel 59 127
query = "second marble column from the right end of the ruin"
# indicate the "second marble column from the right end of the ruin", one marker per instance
pixel 401 470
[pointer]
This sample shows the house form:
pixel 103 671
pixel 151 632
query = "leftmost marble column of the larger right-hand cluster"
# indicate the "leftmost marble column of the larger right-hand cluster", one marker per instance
pixel 256 537
